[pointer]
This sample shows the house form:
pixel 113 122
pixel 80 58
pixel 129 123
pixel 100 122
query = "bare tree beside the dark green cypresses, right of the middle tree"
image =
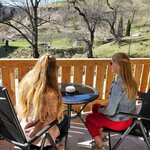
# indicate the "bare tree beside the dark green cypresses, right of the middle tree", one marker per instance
pixel 116 10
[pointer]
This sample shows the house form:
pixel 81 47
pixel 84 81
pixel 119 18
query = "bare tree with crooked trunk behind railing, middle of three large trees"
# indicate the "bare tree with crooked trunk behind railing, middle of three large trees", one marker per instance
pixel 89 19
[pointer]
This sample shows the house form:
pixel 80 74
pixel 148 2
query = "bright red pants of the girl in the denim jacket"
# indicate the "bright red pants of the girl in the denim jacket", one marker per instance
pixel 97 121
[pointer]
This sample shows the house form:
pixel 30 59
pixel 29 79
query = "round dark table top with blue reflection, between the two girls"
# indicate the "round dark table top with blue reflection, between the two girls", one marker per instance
pixel 82 95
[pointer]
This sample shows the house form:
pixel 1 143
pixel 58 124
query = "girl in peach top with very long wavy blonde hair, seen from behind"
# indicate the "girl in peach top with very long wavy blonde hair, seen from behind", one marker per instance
pixel 40 101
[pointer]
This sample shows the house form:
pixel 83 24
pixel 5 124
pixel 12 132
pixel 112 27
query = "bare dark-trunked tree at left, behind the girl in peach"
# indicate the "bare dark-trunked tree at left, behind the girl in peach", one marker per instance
pixel 26 18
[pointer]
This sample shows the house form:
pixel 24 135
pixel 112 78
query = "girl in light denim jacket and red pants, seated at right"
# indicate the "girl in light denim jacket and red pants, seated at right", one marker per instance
pixel 122 99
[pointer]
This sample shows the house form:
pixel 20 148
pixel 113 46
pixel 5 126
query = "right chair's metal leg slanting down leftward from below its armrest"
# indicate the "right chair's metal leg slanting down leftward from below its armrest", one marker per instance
pixel 124 135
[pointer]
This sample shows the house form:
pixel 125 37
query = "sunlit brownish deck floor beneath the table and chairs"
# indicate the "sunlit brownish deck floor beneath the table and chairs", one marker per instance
pixel 79 139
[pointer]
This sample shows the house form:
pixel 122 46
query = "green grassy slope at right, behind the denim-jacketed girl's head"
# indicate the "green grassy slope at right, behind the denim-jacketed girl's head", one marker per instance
pixel 139 47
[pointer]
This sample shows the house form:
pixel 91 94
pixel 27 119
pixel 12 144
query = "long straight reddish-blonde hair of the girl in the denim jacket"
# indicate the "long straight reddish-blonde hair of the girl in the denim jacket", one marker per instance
pixel 125 71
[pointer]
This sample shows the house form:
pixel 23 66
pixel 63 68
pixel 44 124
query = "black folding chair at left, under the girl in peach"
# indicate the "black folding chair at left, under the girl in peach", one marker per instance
pixel 11 130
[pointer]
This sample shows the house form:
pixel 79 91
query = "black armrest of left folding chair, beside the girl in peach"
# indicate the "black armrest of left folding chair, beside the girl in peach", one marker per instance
pixel 44 130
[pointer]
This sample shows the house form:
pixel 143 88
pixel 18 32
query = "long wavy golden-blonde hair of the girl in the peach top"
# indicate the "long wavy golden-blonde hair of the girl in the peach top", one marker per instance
pixel 33 86
